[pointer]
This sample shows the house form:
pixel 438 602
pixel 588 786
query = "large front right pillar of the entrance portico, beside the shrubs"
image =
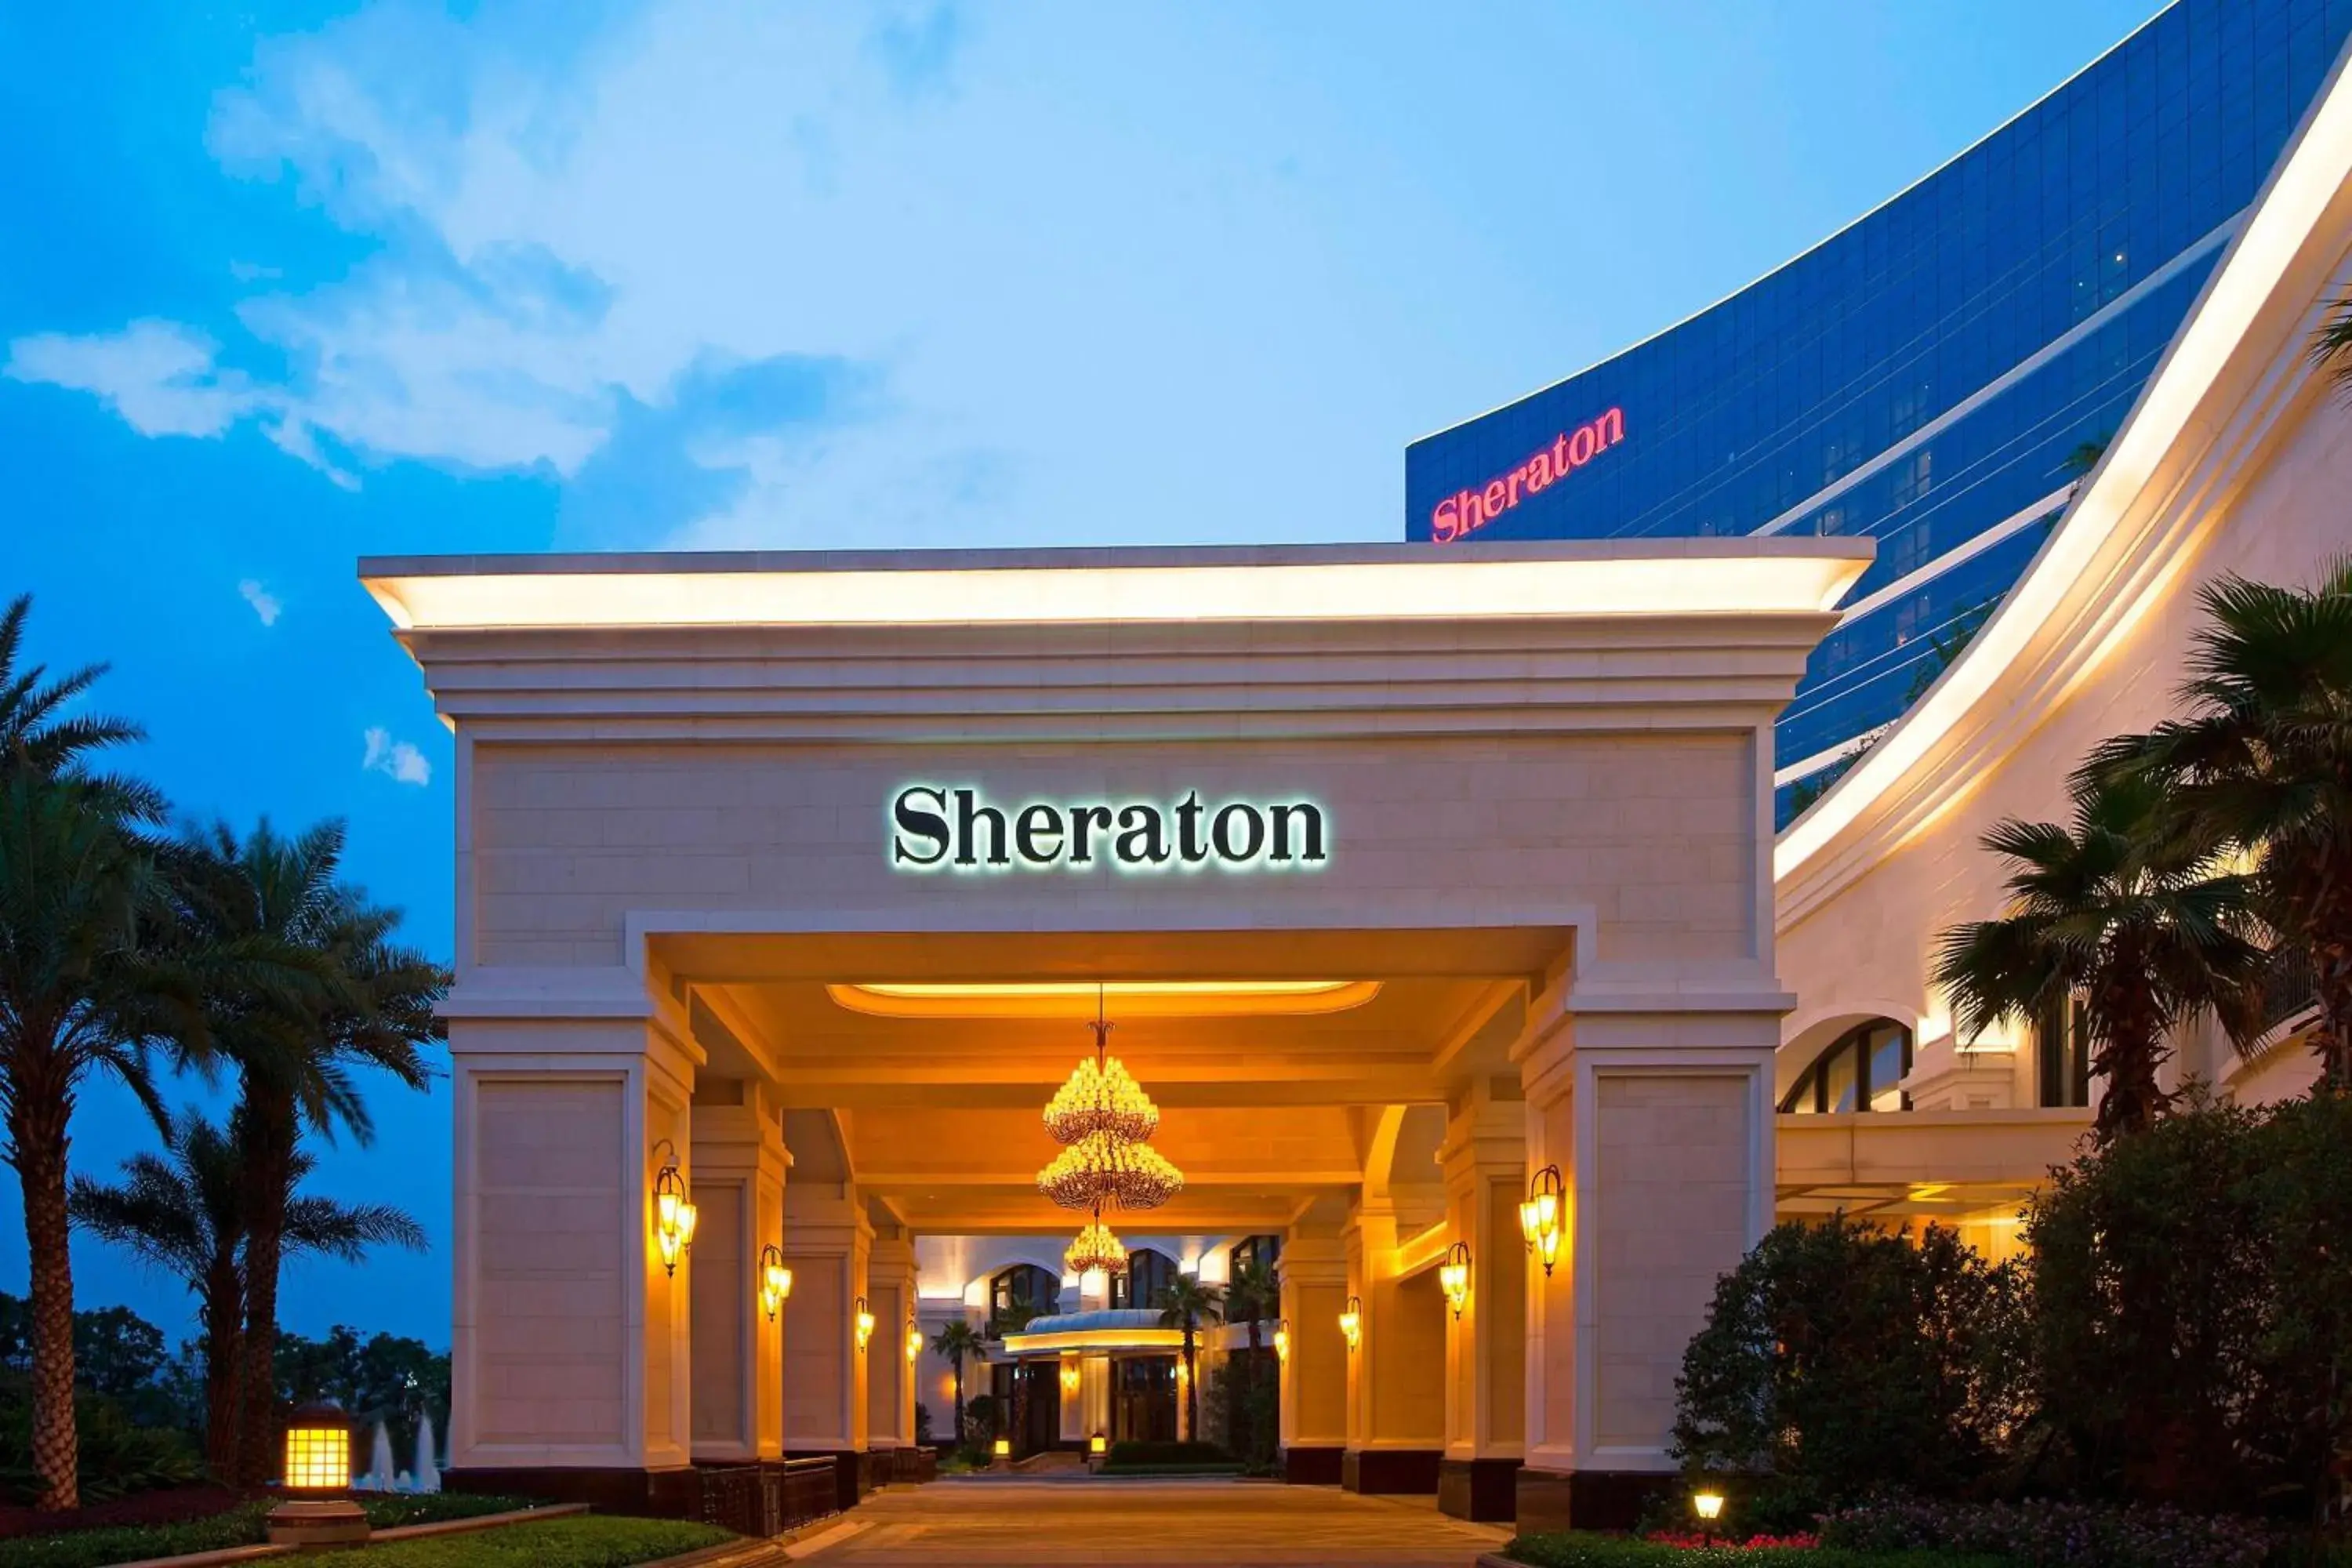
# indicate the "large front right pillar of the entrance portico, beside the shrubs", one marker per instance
pixel 1657 1108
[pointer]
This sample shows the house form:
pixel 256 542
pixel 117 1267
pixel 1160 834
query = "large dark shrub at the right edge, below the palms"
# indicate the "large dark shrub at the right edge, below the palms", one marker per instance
pixel 2193 1311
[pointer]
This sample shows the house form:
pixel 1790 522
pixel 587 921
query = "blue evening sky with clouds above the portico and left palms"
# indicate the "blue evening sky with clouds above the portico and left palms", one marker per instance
pixel 283 286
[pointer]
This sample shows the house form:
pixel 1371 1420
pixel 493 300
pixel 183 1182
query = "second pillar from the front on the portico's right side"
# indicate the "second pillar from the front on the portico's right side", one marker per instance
pixel 1485 1162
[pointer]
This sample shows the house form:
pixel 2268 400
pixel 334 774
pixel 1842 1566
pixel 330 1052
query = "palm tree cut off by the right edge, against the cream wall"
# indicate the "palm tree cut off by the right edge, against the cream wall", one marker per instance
pixel 2261 768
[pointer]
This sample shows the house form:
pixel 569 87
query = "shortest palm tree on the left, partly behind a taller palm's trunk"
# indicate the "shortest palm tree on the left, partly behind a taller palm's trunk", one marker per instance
pixel 185 1209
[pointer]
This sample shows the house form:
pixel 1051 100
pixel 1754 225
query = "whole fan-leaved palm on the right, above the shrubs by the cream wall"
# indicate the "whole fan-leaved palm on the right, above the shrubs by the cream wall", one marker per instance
pixel 2123 923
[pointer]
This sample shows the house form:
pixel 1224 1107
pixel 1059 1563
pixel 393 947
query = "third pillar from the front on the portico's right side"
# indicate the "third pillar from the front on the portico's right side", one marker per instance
pixel 1398 1402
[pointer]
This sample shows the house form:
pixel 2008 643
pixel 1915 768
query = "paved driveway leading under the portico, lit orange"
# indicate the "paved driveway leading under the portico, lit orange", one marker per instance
pixel 1147 1525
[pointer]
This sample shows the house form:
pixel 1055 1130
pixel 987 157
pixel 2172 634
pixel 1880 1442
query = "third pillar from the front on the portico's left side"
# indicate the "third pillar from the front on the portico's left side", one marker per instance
pixel 824 1372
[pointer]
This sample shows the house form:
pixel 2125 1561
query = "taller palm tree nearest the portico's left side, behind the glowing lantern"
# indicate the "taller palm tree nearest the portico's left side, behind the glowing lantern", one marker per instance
pixel 363 1003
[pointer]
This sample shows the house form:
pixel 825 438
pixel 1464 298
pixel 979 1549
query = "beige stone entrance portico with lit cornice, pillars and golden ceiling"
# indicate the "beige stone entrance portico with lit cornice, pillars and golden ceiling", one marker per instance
pixel 1544 878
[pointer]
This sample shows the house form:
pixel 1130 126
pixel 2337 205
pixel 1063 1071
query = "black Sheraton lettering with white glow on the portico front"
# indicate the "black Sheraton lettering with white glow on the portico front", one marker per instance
pixel 954 829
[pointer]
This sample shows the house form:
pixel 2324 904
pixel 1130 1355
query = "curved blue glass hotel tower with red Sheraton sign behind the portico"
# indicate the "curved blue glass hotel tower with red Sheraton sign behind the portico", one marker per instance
pixel 1937 375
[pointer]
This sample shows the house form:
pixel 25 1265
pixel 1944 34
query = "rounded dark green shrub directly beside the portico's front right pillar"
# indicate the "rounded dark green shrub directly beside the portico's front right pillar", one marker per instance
pixel 1840 1360
